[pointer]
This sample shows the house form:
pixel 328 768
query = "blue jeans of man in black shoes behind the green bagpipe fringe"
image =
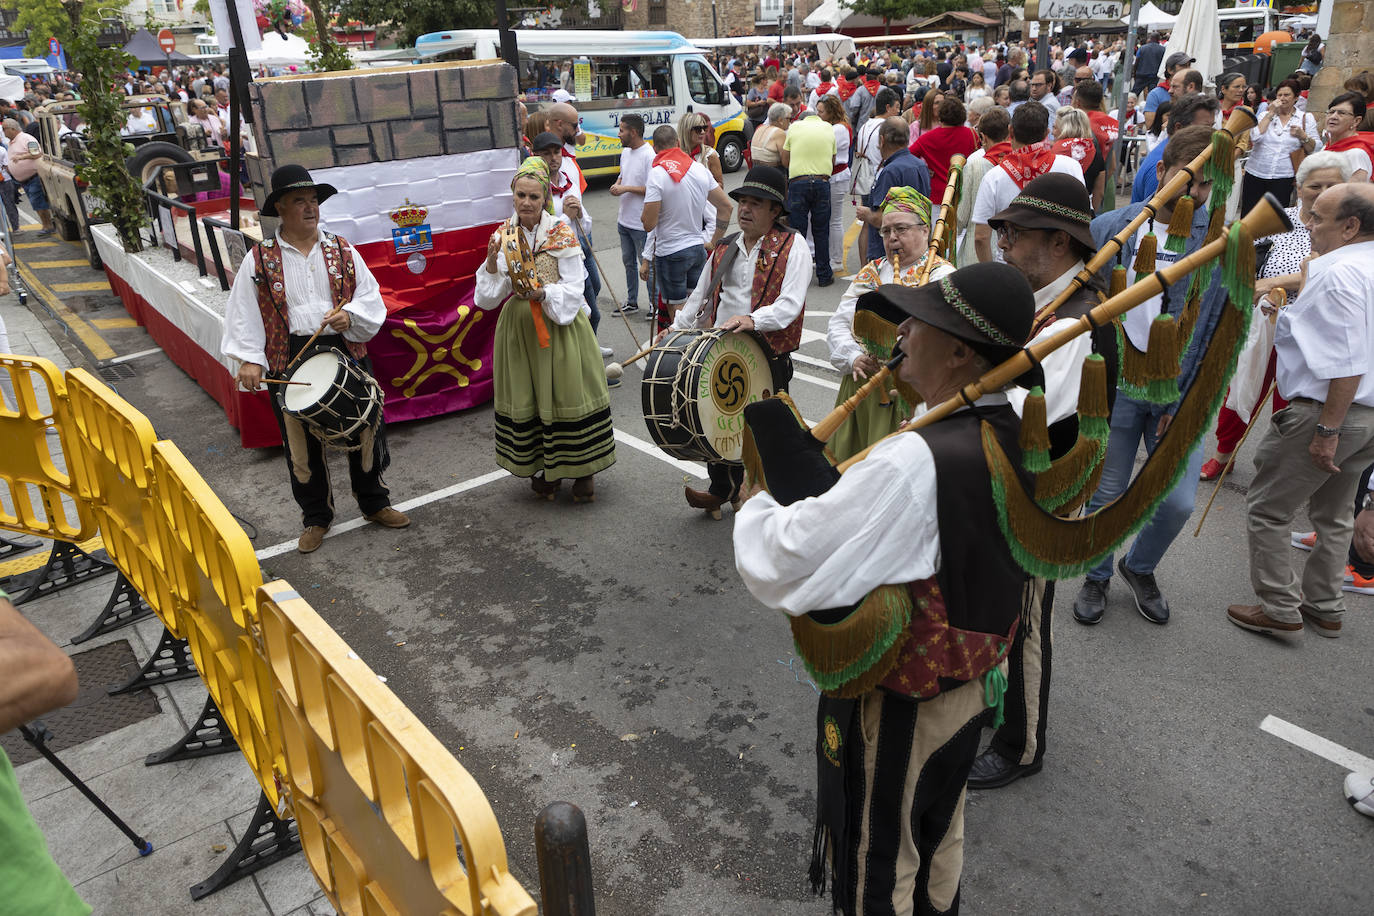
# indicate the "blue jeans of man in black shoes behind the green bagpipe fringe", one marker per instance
pixel 1131 422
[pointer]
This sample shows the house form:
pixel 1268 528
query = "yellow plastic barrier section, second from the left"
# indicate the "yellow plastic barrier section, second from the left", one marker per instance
pixel 112 468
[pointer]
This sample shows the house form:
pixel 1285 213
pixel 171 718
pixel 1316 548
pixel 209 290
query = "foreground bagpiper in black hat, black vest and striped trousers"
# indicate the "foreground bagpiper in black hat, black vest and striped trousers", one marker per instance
pixel 917 514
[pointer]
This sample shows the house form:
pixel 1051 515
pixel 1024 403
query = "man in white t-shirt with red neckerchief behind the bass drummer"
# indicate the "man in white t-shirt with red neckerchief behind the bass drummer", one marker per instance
pixel 675 214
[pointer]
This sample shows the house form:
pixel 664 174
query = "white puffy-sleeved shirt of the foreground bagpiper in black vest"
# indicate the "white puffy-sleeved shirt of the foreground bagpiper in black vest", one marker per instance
pixel 832 550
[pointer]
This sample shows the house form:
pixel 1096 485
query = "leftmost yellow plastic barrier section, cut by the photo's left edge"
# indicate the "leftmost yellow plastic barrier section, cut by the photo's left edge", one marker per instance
pixel 36 435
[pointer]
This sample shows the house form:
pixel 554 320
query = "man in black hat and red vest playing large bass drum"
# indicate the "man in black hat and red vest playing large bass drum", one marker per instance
pixel 758 282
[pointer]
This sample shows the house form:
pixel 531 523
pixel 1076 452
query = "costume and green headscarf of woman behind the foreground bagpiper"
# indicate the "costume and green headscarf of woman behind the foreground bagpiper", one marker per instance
pixel 851 337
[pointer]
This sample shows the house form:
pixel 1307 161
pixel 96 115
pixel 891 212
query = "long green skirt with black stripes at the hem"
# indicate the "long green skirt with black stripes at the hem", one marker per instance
pixel 553 409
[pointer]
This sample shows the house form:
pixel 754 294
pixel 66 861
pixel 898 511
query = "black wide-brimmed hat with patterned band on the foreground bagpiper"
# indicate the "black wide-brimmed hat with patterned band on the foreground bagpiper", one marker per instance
pixel 990 307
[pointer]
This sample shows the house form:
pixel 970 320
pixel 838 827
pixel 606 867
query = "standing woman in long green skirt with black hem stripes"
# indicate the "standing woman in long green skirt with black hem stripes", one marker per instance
pixel 553 410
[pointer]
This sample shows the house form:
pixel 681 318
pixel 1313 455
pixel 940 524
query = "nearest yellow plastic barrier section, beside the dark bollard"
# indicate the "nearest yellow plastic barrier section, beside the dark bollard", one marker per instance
pixel 387 816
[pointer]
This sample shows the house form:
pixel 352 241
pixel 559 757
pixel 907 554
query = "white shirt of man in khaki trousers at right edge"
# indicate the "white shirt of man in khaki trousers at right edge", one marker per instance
pixel 1328 333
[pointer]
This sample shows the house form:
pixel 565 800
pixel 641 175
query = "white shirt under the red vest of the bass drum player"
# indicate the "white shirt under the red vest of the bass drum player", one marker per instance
pixel 737 292
